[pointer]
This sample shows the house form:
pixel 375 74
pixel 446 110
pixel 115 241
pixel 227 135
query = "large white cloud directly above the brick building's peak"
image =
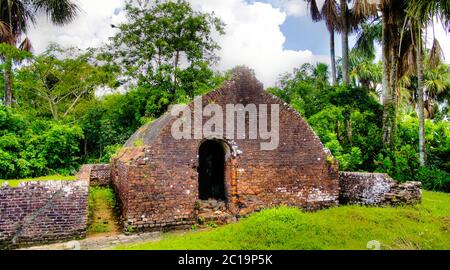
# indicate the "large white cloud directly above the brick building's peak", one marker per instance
pixel 254 38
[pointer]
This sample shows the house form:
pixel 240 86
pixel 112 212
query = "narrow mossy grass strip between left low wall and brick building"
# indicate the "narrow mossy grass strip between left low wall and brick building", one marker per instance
pixel 102 204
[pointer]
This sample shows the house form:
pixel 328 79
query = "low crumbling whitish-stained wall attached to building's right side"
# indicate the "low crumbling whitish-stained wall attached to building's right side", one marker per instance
pixel 376 189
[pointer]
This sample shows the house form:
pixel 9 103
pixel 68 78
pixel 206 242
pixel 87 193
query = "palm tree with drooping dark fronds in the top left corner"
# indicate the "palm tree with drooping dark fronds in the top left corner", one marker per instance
pixel 15 18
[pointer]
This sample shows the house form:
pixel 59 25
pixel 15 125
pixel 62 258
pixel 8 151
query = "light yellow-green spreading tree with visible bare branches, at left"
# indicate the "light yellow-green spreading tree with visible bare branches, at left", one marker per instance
pixel 58 79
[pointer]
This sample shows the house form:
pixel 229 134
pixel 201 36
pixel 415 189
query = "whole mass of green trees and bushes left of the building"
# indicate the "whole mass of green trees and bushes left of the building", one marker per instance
pixel 77 106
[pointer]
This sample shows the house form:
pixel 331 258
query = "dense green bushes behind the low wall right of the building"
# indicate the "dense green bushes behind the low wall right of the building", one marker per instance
pixel 349 122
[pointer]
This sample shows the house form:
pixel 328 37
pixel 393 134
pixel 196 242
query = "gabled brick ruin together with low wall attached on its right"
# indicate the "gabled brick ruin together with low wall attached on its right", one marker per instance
pixel 166 183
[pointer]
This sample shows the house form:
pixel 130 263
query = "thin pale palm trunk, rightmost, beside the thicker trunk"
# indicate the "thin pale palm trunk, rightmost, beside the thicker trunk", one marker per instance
pixel 420 102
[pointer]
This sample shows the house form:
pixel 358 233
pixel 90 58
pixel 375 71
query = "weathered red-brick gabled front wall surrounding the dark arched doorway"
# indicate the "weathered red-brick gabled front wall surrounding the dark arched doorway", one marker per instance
pixel 158 183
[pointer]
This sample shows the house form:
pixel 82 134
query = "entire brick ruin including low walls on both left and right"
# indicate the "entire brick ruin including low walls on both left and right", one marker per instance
pixel 164 183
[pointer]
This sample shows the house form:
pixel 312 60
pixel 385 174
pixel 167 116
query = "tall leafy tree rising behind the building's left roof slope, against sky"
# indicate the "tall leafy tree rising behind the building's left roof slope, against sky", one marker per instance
pixel 165 45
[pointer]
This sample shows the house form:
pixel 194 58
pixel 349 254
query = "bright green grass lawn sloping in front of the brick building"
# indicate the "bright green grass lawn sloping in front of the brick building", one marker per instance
pixel 426 226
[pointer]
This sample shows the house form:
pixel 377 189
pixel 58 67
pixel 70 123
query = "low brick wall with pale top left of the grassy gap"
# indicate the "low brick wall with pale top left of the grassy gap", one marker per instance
pixel 42 212
